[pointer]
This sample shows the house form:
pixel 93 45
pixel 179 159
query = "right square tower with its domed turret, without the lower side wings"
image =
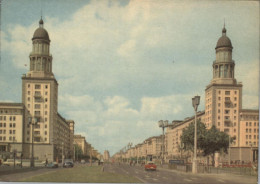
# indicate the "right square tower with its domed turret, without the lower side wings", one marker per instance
pixel 223 96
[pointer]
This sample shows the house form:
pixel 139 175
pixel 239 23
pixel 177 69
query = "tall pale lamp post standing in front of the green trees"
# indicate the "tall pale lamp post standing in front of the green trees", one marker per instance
pixel 195 104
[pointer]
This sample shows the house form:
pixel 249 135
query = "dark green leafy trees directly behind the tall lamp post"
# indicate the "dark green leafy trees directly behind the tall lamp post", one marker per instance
pixel 208 141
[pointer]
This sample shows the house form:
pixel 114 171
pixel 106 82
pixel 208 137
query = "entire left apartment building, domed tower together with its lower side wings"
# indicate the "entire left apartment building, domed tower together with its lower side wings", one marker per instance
pixel 37 116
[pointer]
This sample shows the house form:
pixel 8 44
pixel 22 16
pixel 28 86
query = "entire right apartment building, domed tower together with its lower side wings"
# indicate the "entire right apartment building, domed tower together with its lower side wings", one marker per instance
pixel 223 108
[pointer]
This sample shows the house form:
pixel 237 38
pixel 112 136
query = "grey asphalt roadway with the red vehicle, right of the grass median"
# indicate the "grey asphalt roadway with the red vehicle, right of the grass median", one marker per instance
pixel 176 177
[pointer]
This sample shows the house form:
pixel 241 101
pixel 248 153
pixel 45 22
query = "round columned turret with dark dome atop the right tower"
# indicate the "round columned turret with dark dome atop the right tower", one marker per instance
pixel 223 67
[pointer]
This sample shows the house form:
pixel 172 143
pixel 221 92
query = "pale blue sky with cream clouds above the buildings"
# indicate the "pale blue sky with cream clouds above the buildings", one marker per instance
pixel 124 65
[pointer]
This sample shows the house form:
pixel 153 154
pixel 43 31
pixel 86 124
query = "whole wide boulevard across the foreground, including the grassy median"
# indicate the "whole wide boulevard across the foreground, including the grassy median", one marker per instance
pixel 123 173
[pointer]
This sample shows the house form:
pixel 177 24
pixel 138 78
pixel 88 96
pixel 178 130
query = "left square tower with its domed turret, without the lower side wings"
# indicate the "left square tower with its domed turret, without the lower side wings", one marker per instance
pixel 40 97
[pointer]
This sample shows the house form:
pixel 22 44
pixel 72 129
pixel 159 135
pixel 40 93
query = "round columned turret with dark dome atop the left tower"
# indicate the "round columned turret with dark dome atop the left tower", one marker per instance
pixel 40 57
